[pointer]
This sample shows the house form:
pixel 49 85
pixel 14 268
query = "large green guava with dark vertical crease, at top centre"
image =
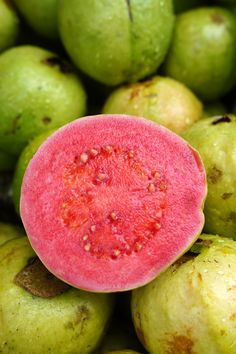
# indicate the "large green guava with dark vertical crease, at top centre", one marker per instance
pixel 116 41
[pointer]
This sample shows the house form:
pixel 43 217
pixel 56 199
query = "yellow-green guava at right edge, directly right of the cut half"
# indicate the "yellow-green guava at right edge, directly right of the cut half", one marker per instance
pixel 214 138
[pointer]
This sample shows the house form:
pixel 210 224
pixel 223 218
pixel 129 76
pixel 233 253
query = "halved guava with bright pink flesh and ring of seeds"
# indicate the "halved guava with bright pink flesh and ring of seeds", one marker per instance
pixel 110 201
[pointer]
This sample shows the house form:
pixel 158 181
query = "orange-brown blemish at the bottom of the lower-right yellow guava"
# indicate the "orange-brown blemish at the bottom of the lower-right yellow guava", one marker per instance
pixel 180 344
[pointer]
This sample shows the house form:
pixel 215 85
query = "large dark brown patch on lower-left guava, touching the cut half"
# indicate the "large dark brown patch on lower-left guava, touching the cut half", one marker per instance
pixel 38 281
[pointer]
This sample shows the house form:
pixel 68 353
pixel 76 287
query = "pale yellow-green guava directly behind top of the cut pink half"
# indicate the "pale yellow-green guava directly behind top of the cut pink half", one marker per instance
pixel 160 99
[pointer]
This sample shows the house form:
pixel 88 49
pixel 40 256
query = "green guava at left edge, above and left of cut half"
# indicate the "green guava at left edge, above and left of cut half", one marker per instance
pixel 38 92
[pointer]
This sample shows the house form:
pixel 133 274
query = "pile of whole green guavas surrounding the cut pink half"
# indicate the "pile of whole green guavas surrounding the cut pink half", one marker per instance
pixel 170 62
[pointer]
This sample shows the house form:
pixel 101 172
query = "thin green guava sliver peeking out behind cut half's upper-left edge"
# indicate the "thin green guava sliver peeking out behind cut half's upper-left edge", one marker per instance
pixel 22 163
